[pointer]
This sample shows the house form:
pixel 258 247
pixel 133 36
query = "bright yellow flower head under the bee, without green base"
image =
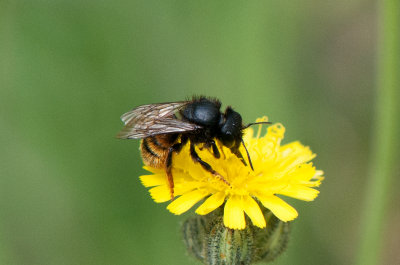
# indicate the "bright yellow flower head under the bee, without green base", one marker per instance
pixel 278 170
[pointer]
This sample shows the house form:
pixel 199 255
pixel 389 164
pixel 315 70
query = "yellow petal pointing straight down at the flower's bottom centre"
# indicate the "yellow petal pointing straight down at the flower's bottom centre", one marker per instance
pixel 233 213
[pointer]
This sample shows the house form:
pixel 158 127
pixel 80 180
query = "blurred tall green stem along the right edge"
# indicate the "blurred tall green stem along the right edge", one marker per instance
pixel 384 152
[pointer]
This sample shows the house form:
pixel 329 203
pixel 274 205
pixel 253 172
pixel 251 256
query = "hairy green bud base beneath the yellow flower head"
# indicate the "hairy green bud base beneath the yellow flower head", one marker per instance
pixel 212 243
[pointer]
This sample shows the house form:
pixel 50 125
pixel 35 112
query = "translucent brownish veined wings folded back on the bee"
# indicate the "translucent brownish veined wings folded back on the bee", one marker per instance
pixel 153 119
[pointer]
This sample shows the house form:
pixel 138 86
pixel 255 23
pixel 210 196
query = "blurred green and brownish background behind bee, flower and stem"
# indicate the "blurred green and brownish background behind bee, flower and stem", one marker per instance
pixel 70 192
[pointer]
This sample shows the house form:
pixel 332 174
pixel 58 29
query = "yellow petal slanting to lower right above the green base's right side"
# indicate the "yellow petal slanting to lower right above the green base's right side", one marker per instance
pixel 279 208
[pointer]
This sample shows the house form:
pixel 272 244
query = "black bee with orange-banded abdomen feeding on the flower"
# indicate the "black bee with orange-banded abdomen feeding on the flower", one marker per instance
pixel 166 127
